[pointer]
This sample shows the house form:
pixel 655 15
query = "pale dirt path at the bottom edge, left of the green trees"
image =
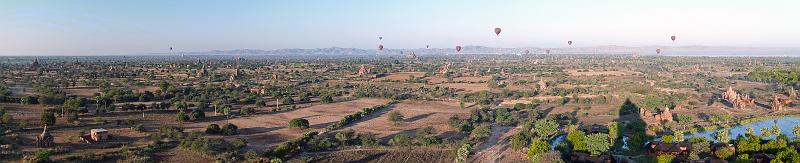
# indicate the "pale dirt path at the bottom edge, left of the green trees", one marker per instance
pixel 492 150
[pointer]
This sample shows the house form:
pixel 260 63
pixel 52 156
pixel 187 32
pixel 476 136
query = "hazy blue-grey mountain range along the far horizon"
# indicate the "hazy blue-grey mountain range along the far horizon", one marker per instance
pixel 597 50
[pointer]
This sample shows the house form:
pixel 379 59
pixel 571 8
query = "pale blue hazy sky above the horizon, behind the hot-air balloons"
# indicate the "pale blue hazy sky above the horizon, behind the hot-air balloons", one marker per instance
pixel 103 27
